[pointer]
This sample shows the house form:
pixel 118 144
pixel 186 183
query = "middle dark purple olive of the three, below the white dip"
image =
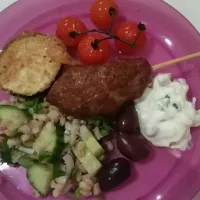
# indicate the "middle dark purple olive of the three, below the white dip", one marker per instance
pixel 132 147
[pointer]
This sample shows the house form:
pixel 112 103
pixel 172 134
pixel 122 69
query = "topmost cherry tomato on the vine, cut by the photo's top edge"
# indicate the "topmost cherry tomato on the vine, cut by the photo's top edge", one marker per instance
pixel 100 13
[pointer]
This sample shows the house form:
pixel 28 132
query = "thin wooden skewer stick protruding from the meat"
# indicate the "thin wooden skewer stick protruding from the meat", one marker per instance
pixel 177 60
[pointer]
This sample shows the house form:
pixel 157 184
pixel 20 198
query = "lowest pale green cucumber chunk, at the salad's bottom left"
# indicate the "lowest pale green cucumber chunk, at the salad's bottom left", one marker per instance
pixel 40 177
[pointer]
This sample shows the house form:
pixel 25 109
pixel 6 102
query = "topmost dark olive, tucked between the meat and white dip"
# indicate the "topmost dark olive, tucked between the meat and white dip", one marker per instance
pixel 127 118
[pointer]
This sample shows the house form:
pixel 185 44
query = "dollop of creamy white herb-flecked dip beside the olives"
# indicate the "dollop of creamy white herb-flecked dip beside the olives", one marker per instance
pixel 165 114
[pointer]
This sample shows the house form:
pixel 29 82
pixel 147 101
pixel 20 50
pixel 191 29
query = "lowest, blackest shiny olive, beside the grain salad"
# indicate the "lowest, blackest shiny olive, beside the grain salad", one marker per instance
pixel 114 173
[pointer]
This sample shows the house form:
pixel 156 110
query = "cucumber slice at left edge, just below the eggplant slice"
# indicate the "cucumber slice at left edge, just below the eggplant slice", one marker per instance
pixel 12 118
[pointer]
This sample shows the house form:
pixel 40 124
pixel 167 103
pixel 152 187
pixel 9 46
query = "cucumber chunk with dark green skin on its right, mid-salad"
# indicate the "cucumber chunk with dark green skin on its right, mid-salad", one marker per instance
pixel 50 143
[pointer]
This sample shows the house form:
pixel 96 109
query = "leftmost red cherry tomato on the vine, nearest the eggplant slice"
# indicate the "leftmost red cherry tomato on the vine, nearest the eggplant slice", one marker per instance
pixel 67 25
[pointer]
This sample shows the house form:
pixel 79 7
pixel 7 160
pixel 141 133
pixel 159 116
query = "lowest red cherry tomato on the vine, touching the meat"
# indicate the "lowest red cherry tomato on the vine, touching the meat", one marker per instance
pixel 92 54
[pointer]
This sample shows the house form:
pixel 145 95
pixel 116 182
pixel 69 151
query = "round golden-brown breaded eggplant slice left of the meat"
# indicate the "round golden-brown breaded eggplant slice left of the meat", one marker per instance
pixel 30 63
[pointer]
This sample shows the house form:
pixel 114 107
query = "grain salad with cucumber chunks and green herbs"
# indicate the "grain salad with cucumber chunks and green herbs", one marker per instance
pixel 61 154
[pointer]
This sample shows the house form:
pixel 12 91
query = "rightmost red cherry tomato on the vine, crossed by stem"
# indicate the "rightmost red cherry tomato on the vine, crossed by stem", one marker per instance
pixel 130 32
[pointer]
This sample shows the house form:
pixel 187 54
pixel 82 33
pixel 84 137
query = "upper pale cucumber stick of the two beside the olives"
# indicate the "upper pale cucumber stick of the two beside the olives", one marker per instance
pixel 91 143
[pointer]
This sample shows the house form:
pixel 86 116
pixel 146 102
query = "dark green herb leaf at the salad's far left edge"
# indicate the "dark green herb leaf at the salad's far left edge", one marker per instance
pixel 5 152
